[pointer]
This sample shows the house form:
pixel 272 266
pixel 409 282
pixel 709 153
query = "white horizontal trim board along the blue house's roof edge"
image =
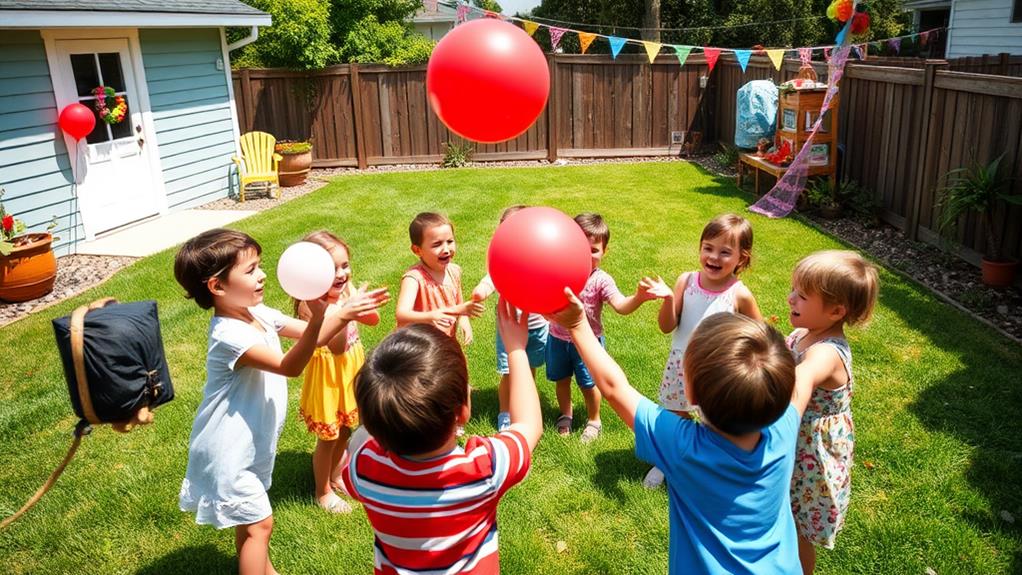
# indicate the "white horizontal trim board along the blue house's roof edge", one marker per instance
pixel 94 19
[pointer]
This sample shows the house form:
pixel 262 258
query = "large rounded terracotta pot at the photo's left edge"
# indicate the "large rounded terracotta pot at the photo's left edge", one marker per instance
pixel 30 270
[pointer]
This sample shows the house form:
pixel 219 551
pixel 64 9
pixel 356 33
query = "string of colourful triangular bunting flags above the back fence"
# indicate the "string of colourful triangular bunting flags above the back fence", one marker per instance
pixel 713 55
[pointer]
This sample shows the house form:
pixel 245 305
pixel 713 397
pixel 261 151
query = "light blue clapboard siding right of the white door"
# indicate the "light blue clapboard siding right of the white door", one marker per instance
pixel 193 113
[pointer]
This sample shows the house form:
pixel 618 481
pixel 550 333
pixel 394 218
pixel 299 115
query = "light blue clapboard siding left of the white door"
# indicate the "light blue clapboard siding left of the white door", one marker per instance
pixel 35 171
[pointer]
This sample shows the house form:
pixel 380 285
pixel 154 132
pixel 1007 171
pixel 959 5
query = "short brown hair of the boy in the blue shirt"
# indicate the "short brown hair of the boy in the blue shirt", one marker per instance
pixel 740 371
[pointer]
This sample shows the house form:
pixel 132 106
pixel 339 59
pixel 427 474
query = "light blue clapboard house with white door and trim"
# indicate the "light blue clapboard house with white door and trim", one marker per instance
pixel 170 60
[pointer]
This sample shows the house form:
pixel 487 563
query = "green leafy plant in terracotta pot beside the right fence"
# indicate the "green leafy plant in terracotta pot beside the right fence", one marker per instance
pixel 980 188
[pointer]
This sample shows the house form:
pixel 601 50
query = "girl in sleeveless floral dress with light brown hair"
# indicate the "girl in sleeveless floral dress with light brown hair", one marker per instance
pixel 830 290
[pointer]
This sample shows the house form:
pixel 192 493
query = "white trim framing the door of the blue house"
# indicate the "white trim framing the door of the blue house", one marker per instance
pixel 61 87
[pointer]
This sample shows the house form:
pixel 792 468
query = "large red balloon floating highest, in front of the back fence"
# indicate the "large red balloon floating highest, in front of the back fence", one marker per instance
pixel 488 81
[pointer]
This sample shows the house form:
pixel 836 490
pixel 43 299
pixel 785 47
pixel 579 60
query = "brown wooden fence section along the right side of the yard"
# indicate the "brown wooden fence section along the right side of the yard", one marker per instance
pixel 903 129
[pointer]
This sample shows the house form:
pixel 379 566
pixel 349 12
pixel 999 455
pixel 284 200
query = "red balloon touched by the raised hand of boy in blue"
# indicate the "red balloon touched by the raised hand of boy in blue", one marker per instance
pixel 535 255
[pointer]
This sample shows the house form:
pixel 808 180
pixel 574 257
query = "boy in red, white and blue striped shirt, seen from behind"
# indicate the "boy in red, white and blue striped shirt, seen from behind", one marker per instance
pixel 432 503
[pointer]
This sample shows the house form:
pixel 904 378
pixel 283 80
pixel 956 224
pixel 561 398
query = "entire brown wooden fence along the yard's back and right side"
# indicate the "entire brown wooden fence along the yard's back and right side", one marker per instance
pixel 902 128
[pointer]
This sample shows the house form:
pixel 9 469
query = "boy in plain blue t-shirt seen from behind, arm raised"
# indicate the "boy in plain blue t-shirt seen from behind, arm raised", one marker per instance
pixel 728 470
